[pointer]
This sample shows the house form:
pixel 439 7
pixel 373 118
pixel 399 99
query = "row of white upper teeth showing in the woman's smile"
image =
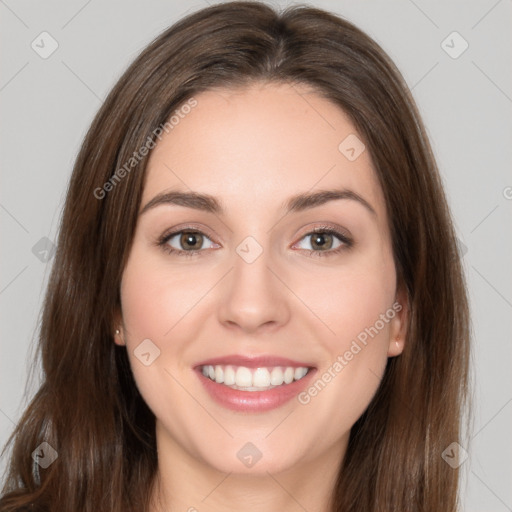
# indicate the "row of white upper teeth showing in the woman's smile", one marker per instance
pixel 253 379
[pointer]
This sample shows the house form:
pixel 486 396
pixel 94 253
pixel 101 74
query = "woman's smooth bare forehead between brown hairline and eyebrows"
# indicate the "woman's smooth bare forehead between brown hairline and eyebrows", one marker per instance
pixel 262 143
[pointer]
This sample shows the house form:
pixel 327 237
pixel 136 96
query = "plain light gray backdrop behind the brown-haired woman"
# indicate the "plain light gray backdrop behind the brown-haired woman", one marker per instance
pixel 47 105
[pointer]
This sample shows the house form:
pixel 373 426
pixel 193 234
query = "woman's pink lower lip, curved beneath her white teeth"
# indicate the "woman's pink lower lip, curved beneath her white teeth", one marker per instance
pixel 254 401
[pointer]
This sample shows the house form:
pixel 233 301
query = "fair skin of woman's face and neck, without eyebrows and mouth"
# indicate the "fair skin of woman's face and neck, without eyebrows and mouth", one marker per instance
pixel 253 148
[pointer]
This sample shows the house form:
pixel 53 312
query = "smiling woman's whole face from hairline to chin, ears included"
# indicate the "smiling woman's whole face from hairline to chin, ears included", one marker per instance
pixel 254 288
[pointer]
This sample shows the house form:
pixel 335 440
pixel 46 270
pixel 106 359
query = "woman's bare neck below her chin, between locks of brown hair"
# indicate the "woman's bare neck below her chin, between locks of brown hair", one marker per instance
pixel 189 484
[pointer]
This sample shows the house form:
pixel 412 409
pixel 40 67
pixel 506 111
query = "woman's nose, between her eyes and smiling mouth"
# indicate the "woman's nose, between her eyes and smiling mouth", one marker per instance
pixel 255 296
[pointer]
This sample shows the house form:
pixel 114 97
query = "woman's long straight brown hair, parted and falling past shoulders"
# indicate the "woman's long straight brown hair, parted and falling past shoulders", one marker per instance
pixel 88 407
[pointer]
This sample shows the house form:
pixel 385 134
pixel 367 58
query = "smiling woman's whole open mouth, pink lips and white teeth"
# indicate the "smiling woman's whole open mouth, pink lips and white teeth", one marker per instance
pixel 253 384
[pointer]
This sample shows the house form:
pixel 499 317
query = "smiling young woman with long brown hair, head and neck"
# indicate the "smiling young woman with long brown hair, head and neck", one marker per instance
pixel 310 351
